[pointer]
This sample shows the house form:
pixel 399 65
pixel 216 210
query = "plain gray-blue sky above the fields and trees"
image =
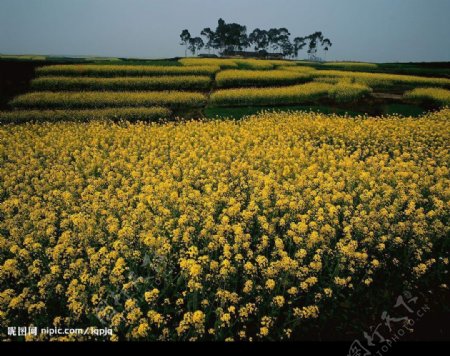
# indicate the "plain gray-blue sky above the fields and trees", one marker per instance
pixel 366 30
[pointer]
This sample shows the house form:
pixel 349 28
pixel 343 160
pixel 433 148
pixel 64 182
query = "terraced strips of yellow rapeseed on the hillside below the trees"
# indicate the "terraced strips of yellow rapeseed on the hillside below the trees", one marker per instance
pixel 197 87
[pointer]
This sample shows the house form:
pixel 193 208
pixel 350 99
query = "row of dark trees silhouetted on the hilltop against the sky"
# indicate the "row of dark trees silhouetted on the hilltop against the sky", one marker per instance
pixel 232 37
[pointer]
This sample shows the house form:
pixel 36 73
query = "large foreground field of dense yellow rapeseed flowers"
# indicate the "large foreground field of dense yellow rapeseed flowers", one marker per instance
pixel 220 230
